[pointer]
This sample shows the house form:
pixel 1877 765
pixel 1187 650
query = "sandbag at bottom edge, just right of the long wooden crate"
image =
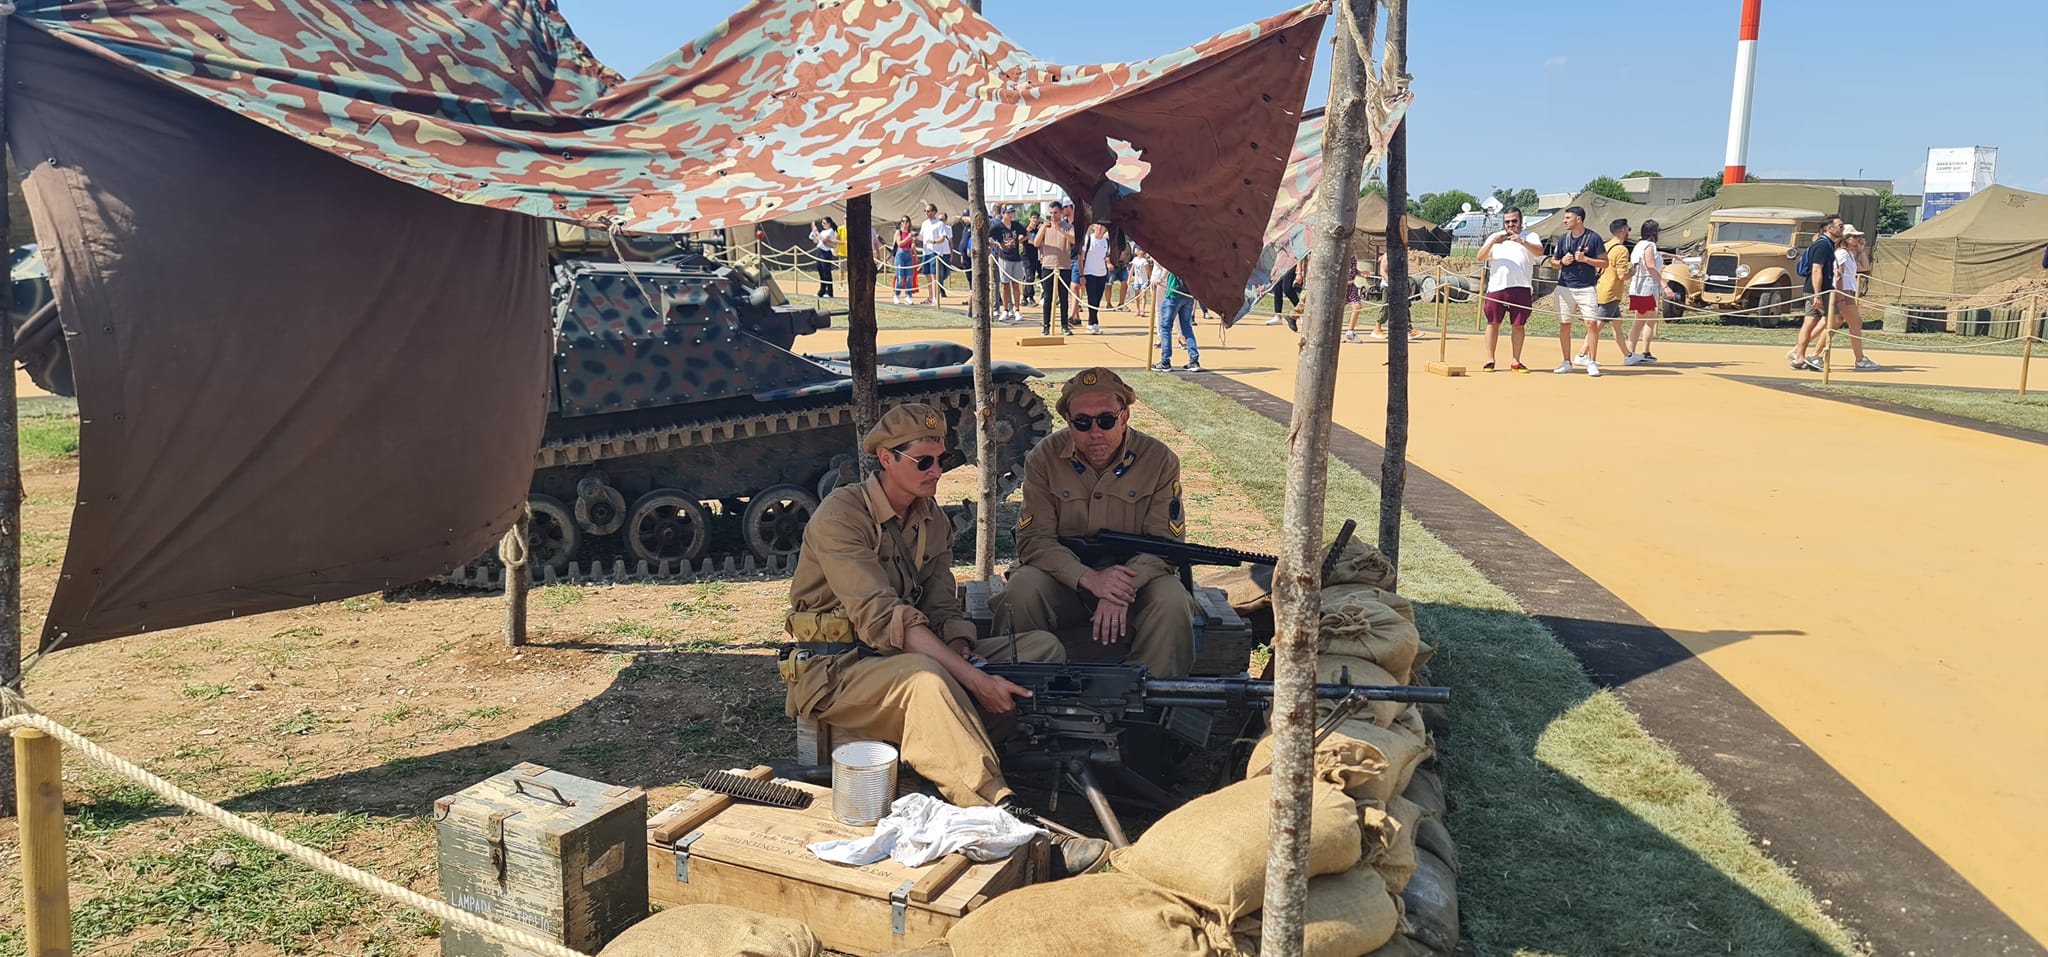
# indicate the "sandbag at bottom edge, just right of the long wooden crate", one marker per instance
pixel 1101 913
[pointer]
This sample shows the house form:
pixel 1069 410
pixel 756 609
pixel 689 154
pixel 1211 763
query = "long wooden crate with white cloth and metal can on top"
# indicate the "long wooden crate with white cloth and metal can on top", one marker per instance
pixel 710 849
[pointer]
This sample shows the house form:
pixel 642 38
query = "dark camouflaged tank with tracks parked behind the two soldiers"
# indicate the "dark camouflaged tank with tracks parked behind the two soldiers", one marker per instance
pixel 687 435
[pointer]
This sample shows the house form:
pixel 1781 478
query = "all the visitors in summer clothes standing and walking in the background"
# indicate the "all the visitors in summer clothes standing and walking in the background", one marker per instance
pixel 1605 284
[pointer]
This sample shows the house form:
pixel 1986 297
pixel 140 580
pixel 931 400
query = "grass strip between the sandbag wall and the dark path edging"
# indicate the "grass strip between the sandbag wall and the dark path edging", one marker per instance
pixel 1578 833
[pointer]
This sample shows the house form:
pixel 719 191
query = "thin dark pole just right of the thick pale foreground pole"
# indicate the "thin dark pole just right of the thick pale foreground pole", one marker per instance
pixel 1394 466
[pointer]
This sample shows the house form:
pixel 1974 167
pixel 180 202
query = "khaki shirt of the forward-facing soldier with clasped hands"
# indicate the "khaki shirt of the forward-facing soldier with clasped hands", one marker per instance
pixel 1064 497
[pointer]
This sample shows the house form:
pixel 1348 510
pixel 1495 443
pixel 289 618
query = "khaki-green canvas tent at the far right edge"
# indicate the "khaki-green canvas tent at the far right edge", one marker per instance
pixel 1983 241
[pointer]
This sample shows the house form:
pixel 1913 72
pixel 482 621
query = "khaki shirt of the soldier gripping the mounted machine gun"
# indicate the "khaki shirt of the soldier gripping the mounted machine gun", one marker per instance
pixel 849 563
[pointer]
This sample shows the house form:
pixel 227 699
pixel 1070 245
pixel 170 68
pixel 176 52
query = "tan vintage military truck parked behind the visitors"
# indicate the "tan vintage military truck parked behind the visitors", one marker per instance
pixel 1754 243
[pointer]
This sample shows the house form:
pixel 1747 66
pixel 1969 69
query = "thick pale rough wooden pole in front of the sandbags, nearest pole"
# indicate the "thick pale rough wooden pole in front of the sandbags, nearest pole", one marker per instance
pixel 1299 575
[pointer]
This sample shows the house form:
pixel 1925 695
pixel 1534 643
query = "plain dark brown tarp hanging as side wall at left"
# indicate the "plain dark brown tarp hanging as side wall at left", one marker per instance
pixel 278 392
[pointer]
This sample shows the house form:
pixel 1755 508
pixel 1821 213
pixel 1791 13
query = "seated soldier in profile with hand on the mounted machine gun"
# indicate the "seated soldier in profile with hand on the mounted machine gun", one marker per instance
pixel 882 649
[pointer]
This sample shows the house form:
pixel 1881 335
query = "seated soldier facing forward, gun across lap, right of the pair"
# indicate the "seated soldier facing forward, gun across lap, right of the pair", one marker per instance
pixel 1099 474
